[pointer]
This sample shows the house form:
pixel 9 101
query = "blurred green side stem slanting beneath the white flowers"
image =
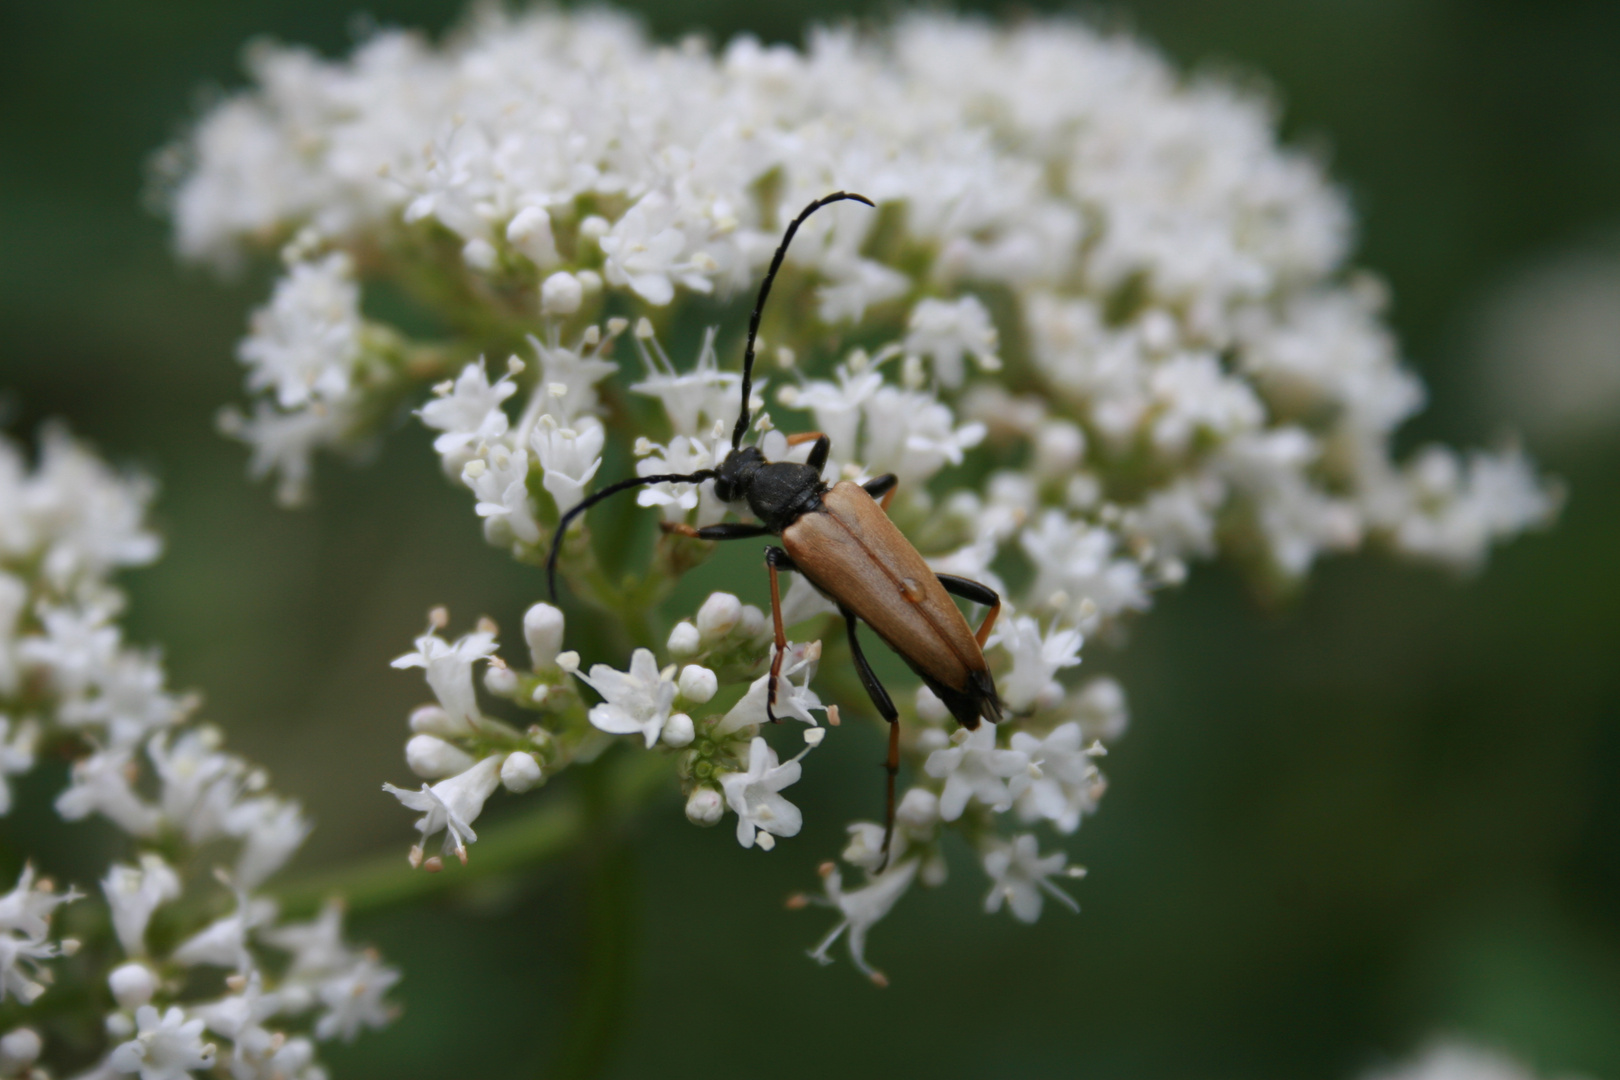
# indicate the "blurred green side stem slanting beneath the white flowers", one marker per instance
pixel 550 831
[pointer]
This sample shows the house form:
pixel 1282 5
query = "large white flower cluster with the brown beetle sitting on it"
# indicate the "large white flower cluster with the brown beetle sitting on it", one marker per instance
pixel 1106 291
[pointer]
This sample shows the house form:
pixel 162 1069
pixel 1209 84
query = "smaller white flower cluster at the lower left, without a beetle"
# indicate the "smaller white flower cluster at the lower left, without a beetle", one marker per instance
pixel 72 686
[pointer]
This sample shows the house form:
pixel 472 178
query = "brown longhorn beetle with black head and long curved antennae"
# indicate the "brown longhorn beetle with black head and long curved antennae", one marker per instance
pixel 845 545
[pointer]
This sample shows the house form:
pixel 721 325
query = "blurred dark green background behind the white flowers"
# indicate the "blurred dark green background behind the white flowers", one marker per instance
pixel 1388 812
